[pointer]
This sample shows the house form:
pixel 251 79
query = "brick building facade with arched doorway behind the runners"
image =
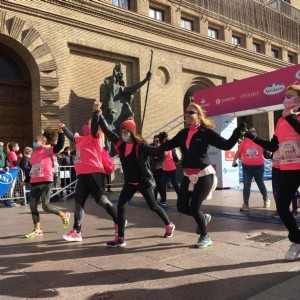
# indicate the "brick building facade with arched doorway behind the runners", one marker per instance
pixel 55 55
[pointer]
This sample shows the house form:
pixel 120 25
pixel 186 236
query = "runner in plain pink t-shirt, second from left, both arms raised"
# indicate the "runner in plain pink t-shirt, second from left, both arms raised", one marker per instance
pixel 91 174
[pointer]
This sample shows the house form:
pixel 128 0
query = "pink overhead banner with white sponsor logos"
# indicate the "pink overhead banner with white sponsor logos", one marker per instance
pixel 250 93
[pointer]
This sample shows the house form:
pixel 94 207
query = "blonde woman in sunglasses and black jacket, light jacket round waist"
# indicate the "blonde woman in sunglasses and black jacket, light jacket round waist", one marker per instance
pixel 199 176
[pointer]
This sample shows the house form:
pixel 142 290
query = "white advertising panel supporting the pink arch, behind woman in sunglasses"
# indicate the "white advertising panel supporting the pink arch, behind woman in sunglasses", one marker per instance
pixel 227 175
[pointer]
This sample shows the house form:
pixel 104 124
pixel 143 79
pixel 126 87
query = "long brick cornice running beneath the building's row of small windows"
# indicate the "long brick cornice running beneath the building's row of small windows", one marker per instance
pixel 145 24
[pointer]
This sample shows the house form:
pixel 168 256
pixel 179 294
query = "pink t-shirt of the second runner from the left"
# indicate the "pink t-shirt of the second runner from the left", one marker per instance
pixel 88 155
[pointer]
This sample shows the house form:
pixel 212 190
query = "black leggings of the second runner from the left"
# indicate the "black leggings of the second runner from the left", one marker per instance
pixel 91 183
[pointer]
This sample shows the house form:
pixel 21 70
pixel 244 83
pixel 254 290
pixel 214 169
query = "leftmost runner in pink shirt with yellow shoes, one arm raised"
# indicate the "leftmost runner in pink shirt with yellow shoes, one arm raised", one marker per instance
pixel 41 177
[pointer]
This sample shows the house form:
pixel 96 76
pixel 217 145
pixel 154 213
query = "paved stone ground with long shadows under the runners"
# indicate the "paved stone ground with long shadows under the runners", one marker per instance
pixel 236 266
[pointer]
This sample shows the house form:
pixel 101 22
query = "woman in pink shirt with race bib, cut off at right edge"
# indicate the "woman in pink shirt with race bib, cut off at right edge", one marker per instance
pixel 287 139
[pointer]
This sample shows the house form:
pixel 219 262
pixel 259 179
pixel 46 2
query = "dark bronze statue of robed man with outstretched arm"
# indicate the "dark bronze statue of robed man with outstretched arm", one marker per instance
pixel 117 104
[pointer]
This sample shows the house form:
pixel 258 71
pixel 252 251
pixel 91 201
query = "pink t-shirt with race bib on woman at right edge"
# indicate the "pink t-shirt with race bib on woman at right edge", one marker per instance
pixel 289 145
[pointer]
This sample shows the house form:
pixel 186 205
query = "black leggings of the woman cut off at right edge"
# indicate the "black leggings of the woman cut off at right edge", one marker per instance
pixel 289 184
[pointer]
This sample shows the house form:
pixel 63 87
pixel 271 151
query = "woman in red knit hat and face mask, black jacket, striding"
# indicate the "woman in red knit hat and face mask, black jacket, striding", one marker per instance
pixel 133 152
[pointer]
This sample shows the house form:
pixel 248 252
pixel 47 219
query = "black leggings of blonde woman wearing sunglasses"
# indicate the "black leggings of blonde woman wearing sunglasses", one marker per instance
pixel 189 203
